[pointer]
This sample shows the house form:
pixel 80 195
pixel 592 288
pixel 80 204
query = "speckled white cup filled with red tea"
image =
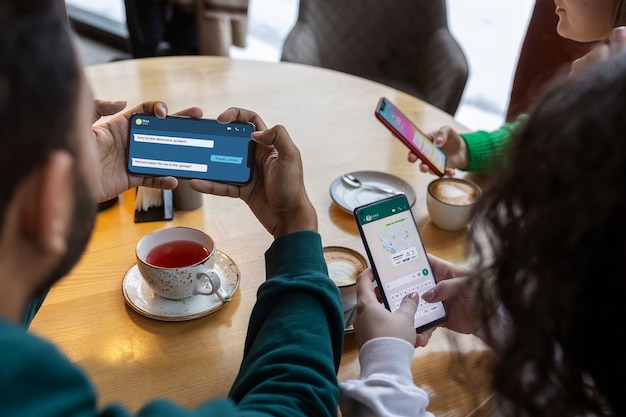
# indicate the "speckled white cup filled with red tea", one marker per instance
pixel 178 262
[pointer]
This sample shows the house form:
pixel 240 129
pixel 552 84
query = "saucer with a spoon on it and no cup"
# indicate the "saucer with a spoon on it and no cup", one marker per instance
pixel 348 198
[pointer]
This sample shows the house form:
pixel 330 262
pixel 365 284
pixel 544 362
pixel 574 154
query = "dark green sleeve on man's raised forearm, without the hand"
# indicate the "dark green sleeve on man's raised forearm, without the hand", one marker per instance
pixel 295 335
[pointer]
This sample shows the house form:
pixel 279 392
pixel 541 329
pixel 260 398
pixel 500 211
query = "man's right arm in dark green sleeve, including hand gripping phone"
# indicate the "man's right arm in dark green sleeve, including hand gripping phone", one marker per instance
pixel 295 335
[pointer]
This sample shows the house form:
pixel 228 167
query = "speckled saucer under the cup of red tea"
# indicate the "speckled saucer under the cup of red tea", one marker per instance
pixel 143 300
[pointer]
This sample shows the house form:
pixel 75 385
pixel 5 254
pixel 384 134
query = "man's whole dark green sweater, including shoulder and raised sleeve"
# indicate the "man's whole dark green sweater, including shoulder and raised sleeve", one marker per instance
pixel 291 355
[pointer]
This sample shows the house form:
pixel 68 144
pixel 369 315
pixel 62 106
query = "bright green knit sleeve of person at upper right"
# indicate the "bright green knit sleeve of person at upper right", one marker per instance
pixel 487 150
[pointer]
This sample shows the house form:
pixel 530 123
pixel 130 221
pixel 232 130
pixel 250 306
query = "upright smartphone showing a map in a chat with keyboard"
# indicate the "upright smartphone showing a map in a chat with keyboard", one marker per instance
pixel 397 256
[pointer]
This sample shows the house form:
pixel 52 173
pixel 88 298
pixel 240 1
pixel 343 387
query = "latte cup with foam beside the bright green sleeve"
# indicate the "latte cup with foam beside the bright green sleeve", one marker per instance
pixel 450 202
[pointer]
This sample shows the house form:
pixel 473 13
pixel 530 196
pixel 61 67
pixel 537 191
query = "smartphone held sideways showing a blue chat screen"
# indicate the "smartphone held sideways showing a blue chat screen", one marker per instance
pixel 185 147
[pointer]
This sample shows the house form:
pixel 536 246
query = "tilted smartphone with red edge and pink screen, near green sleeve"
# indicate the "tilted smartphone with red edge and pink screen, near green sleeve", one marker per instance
pixel 411 136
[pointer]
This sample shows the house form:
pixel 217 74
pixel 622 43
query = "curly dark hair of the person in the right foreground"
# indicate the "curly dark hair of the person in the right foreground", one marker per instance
pixel 549 238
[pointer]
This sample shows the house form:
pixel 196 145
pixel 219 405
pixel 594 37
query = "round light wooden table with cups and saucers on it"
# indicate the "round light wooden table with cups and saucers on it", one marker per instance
pixel 329 115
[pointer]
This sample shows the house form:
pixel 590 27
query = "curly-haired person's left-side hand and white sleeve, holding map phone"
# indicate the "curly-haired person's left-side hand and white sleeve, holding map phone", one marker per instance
pixel 386 343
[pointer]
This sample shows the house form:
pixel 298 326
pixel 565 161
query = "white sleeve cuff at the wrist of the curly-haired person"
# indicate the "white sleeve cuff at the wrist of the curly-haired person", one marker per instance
pixel 386 385
